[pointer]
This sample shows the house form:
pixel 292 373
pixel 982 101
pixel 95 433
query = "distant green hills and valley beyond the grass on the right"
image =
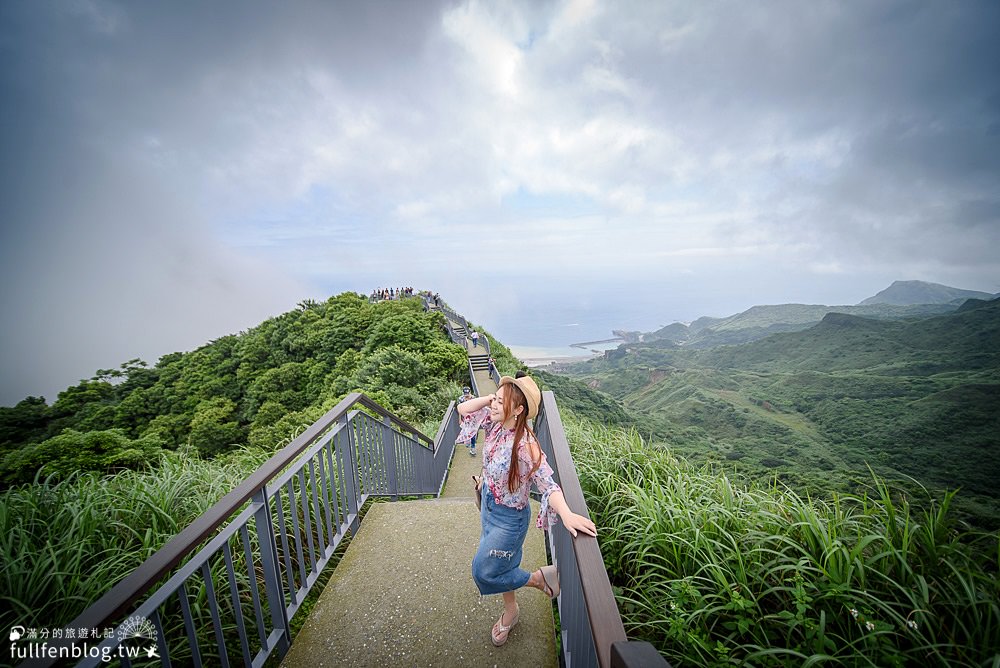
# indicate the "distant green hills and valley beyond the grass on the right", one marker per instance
pixel 918 397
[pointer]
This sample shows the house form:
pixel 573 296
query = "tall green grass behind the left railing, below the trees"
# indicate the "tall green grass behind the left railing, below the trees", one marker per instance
pixel 64 543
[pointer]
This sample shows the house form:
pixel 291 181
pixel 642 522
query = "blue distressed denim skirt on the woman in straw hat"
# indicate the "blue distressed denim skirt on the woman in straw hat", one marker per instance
pixel 496 568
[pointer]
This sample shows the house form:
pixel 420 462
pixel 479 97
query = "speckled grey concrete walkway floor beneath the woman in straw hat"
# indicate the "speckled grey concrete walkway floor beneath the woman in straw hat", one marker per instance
pixel 403 593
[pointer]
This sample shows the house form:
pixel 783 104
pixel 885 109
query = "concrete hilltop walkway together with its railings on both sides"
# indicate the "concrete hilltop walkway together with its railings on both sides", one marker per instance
pixel 402 592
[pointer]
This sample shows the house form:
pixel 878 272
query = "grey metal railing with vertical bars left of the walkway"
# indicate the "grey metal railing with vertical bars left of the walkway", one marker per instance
pixel 279 529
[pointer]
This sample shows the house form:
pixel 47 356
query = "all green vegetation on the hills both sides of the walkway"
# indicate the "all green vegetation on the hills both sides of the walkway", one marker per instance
pixel 779 527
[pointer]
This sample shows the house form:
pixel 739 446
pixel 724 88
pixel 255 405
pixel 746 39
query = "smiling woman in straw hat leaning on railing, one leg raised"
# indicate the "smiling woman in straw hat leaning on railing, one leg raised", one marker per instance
pixel 508 472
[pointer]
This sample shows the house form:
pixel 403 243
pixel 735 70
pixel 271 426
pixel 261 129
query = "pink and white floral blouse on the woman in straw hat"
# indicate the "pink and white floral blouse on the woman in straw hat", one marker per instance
pixel 496 465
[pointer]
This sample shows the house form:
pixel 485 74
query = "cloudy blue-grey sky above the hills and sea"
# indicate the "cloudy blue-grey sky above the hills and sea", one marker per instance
pixel 174 172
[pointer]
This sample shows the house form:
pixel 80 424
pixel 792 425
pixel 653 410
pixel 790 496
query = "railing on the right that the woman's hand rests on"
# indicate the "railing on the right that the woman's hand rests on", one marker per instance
pixel 591 626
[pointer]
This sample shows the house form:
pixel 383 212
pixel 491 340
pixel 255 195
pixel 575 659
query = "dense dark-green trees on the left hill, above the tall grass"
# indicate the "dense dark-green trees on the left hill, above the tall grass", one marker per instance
pixel 254 388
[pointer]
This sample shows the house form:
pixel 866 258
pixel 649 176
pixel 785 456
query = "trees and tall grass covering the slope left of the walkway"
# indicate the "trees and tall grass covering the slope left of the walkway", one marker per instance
pixel 120 463
